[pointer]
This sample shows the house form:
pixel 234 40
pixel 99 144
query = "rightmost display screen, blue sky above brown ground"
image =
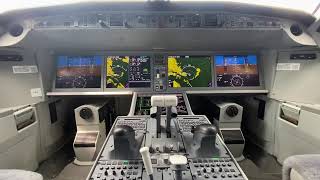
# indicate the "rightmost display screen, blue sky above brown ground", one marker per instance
pixel 237 70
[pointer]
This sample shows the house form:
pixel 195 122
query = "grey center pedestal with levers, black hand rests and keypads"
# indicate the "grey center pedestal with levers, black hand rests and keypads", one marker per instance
pixel 164 147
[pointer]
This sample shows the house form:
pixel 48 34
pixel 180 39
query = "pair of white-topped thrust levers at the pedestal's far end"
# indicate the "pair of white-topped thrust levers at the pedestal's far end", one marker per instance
pixel 170 102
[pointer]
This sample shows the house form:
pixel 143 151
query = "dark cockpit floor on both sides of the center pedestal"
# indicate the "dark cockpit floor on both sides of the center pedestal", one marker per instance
pixel 258 165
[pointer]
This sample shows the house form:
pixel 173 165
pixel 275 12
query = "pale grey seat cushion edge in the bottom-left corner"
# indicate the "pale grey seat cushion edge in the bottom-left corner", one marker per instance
pixel 14 174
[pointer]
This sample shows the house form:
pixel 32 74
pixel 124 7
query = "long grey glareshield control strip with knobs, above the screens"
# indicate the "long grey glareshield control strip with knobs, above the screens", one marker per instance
pixel 157 20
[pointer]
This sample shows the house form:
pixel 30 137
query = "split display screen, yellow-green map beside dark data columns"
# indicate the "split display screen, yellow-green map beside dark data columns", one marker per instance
pixel 128 72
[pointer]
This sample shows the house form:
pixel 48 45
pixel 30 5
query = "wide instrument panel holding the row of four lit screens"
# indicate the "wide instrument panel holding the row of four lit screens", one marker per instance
pixel 157 72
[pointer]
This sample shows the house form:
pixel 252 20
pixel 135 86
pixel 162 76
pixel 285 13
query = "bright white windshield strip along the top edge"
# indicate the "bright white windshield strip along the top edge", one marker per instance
pixel 308 6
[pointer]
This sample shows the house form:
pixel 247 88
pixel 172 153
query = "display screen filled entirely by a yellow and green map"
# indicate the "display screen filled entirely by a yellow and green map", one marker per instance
pixel 189 71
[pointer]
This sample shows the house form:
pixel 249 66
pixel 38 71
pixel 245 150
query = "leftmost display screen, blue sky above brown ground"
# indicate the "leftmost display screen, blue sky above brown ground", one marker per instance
pixel 78 72
